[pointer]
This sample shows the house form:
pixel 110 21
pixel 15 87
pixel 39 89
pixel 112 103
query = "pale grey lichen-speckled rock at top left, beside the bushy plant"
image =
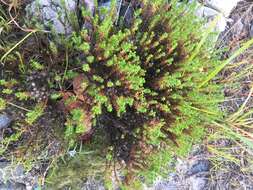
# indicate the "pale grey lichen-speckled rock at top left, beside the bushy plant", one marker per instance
pixel 53 14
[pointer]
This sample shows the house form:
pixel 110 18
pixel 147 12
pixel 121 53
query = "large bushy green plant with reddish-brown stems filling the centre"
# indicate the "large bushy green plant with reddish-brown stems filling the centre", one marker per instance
pixel 146 80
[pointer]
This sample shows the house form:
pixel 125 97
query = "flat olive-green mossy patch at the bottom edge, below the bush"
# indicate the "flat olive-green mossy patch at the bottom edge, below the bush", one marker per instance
pixel 74 171
